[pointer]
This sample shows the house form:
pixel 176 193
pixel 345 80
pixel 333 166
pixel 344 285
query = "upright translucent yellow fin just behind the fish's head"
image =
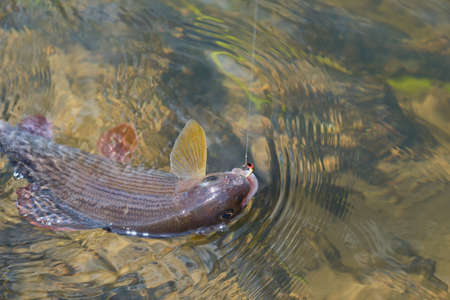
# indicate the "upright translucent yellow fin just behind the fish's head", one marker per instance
pixel 188 157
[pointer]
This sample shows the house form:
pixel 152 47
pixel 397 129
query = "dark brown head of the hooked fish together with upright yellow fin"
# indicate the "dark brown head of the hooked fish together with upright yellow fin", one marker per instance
pixel 208 199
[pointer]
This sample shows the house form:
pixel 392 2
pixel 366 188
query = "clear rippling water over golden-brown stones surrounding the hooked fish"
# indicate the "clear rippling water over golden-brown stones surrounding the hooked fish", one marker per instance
pixel 348 130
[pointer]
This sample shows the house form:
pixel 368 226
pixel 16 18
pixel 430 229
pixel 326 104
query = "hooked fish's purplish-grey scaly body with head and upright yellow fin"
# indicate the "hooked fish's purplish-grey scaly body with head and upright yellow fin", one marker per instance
pixel 75 190
